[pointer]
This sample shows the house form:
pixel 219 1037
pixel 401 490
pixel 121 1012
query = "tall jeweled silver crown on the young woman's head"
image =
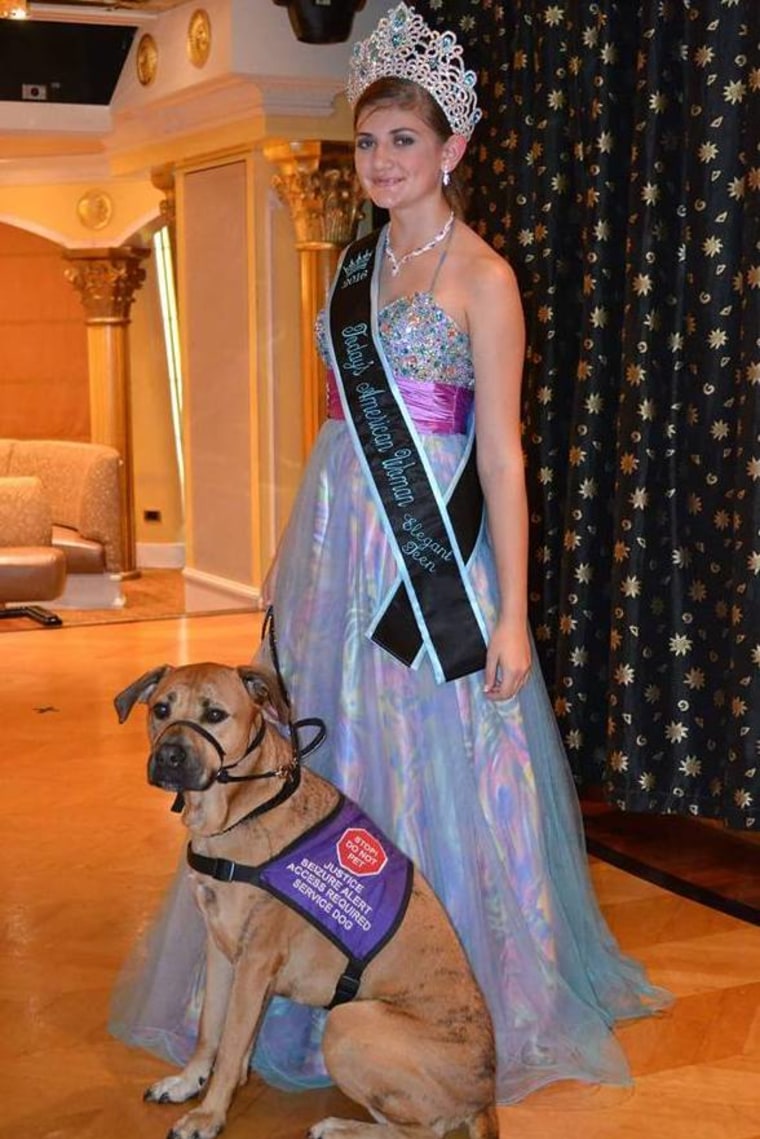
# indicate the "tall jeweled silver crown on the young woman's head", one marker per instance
pixel 403 46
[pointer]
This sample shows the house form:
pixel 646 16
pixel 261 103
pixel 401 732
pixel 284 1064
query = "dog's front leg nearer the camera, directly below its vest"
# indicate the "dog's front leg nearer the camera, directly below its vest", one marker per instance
pixel 248 1001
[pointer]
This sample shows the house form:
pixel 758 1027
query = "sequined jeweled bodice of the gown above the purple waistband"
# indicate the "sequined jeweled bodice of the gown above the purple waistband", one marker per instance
pixel 421 341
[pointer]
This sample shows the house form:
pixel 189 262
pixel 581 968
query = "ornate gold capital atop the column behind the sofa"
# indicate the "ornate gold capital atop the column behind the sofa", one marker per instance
pixel 107 281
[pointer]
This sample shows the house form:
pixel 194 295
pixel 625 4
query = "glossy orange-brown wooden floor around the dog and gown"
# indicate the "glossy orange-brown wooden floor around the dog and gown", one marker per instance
pixel 89 849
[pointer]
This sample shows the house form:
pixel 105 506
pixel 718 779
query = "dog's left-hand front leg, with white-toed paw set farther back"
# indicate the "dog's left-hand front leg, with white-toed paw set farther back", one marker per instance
pixel 194 1077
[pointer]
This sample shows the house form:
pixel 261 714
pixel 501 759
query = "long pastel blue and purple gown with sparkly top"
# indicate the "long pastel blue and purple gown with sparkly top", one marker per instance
pixel 478 793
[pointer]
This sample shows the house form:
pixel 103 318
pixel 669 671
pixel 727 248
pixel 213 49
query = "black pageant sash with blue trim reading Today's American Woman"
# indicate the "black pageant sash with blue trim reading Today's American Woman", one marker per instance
pixel 435 609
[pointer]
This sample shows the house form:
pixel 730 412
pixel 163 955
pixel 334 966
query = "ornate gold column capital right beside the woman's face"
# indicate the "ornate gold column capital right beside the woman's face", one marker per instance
pixel 317 182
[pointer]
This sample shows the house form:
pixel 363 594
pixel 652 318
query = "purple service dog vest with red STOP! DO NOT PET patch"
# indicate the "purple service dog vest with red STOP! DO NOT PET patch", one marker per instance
pixel 345 876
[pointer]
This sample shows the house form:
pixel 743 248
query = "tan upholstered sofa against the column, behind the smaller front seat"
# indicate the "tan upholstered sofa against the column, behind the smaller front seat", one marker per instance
pixel 81 486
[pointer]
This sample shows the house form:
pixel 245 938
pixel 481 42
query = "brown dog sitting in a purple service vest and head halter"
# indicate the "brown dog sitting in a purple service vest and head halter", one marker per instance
pixel 415 1047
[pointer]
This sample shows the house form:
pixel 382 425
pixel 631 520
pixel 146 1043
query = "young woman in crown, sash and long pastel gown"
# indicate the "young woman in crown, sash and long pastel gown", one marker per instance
pixel 401 610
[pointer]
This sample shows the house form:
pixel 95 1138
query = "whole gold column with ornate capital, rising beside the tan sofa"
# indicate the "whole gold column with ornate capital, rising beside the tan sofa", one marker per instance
pixel 108 281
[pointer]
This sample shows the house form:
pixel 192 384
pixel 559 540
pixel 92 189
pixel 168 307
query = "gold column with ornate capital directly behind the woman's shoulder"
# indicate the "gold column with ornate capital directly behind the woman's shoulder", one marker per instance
pixel 317 182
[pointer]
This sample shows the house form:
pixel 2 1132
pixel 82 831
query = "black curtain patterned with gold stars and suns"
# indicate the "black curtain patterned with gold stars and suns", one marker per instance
pixel 618 168
